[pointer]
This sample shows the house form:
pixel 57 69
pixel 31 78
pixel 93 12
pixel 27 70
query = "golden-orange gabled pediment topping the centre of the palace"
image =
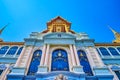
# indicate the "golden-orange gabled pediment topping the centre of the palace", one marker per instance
pixel 58 24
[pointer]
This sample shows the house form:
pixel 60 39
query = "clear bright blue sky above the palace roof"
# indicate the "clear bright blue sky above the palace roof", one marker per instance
pixel 90 16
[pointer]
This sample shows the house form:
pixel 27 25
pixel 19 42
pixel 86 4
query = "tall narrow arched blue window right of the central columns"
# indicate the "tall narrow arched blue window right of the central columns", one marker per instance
pixel 84 62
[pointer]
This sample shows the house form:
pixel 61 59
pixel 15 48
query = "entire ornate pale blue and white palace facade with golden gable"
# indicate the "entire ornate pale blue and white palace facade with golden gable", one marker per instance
pixel 58 53
